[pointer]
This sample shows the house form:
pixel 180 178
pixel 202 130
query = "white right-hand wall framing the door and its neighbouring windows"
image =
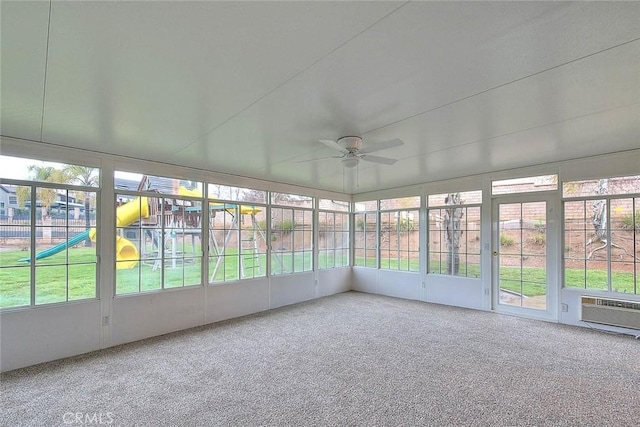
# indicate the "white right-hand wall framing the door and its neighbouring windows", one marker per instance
pixel 477 293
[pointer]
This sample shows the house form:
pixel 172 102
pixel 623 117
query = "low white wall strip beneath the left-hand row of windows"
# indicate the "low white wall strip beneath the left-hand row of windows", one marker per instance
pixel 41 334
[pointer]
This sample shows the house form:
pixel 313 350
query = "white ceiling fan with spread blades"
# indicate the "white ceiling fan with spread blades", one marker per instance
pixel 353 151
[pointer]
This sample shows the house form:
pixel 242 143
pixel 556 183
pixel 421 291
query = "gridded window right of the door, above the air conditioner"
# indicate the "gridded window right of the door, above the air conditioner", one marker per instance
pixel 602 234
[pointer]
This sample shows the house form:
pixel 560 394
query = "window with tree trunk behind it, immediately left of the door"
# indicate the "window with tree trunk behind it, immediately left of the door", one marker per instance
pixel 454 234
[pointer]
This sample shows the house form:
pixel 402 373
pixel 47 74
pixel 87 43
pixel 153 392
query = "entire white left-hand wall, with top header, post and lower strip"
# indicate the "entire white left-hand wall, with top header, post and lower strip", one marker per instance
pixel 38 334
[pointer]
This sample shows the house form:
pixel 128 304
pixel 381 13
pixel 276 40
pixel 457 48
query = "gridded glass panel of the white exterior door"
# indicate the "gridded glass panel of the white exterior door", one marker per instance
pixel 522 267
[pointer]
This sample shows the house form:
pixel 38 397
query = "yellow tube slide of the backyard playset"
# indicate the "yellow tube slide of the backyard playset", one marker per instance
pixel 126 252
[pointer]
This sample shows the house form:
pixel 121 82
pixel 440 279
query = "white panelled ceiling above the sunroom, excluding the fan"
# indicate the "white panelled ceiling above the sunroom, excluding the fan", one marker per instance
pixel 249 88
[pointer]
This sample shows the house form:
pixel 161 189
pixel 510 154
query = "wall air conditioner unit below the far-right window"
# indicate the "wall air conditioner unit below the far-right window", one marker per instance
pixel 606 311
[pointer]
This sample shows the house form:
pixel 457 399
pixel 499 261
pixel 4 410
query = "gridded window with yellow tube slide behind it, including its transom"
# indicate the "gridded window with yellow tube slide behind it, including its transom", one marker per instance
pixel 158 235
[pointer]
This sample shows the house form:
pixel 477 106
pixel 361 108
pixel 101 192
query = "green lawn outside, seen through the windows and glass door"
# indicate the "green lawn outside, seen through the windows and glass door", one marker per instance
pixel 51 274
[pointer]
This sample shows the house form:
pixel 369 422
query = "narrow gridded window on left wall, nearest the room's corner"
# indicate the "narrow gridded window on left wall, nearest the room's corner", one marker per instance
pixel 333 239
